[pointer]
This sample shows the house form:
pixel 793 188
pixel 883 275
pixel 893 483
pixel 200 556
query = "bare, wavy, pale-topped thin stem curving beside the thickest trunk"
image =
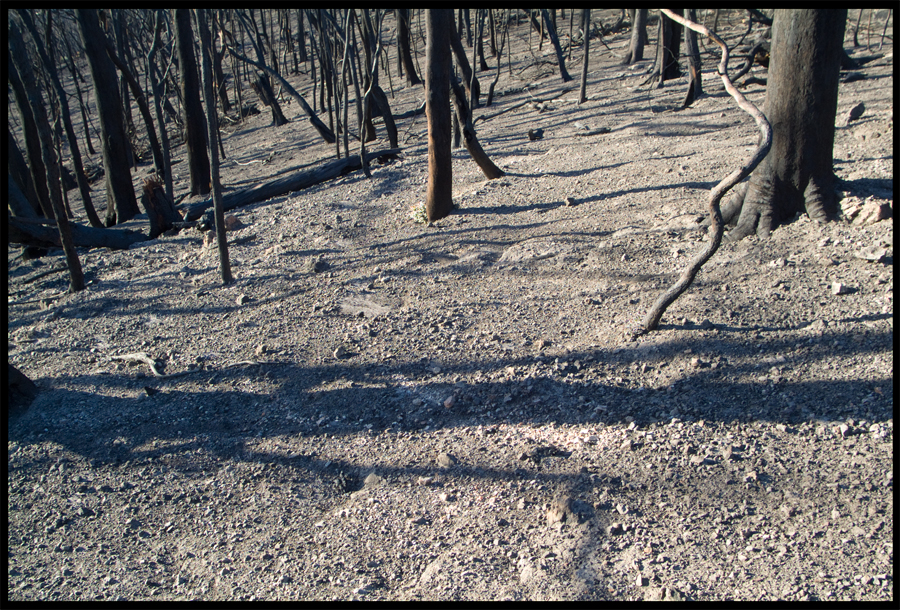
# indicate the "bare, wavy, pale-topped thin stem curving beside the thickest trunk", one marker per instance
pixel 651 320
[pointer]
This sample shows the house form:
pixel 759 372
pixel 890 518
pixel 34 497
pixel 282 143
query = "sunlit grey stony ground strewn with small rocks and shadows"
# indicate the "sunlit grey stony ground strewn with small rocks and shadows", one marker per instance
pixel 382 409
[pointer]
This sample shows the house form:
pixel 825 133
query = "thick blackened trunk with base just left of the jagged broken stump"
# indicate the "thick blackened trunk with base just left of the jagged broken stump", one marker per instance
pixel 121 203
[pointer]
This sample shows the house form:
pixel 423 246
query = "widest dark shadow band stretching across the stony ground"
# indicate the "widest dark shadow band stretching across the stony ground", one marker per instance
pixel 585 387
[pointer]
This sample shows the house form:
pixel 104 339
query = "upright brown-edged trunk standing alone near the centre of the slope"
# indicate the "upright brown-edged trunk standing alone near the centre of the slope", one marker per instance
pixel 439 194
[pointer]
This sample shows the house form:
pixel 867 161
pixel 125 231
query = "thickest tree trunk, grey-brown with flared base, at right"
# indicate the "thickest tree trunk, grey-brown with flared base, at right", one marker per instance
pixel 801 105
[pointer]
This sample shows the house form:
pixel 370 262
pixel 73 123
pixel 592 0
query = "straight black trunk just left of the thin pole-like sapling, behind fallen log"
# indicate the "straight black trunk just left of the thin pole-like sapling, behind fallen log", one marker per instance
pixel 195 136
